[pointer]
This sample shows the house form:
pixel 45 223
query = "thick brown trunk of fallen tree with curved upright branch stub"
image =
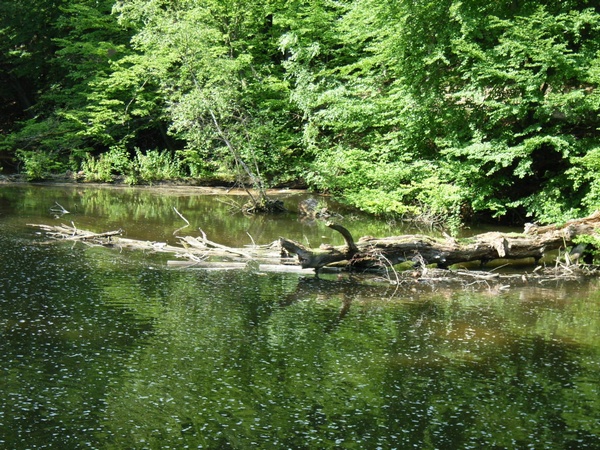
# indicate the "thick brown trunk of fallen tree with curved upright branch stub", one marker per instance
pixel 371 252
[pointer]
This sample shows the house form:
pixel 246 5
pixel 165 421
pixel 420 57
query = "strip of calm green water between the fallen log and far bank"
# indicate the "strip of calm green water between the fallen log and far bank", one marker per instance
pixel 150 214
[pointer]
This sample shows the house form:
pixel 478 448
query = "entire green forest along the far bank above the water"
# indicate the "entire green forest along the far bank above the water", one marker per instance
pixel 444 109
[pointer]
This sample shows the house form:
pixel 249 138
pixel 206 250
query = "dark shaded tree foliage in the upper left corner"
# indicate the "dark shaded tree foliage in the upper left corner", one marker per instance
pixel 81 38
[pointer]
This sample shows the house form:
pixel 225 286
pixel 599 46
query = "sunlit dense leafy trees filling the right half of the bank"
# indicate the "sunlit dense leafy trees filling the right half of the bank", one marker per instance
pixel 493 112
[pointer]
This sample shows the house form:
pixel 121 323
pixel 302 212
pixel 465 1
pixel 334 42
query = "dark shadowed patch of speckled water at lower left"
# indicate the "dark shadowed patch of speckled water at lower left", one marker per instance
pixel 60 346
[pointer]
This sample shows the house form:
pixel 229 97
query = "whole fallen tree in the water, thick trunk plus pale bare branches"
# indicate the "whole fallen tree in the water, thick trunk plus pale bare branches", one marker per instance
pixel 369 253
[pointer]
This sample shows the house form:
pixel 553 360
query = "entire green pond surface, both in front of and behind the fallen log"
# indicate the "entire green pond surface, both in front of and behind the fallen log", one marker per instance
pixel 108 349
